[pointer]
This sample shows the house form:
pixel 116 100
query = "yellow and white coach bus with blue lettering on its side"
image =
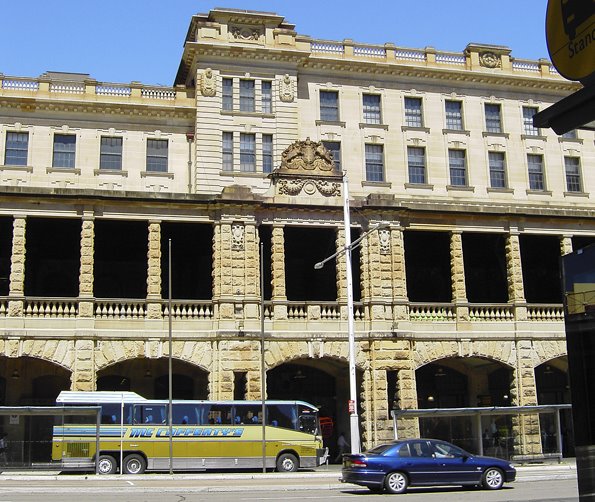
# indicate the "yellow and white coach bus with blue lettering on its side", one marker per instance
pixel 134 434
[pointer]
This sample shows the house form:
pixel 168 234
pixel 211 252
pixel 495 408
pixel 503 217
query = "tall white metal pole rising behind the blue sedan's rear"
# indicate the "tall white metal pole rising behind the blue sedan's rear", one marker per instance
pixel 353 417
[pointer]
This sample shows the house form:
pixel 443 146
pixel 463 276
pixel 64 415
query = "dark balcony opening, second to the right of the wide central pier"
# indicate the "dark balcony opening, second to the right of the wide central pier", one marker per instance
pixel 485 268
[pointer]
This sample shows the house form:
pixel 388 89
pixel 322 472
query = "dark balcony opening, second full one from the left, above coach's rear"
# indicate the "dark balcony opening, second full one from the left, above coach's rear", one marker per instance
pixel 120 259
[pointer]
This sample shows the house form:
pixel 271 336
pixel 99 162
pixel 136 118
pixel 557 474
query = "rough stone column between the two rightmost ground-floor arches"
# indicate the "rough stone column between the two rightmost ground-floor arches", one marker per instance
pixel 525 429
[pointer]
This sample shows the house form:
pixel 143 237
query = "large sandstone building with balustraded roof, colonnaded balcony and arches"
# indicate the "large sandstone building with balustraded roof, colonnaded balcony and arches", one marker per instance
pixel 457 301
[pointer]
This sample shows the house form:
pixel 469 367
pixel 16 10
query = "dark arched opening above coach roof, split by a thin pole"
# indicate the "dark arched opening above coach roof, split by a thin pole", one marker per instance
pixel 150 378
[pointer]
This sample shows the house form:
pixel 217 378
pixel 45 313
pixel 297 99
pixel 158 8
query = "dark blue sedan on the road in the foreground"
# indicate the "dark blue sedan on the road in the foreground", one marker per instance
pixel 423 462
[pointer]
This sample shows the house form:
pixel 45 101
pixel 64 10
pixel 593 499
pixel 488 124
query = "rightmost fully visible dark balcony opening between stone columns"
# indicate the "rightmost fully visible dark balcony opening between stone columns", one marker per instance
pixel 540 260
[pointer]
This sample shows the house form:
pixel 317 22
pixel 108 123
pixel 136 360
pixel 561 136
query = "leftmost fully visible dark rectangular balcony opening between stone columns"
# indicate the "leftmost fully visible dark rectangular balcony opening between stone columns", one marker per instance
pixel 53 260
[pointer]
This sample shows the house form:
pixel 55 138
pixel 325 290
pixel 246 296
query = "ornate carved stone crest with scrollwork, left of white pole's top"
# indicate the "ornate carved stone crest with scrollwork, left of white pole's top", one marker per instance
pixel 307 167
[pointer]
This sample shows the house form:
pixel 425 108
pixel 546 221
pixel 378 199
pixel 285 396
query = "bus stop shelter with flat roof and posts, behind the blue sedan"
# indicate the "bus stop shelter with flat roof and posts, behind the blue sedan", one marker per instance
pixel 479 412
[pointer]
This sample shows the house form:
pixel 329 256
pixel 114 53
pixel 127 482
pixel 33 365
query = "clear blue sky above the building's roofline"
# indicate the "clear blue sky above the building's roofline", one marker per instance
pixel 142 40
